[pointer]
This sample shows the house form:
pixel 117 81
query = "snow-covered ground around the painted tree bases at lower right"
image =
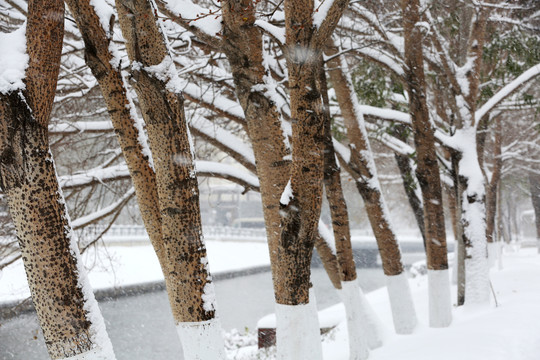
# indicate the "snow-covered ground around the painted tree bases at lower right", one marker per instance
pixel 508 331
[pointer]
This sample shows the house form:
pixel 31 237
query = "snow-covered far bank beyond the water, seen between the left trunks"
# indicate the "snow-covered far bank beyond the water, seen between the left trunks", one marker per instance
pixel 116 266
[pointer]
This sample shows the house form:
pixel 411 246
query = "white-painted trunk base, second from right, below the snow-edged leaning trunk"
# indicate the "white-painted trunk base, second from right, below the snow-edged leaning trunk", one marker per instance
pixel 403 312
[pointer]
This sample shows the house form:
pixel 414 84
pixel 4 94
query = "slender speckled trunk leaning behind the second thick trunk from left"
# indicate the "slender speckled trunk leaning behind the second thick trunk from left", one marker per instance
pixel 122 112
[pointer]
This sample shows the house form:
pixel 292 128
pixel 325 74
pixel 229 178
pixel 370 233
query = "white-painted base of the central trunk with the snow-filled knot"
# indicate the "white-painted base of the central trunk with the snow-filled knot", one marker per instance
pixel 298 334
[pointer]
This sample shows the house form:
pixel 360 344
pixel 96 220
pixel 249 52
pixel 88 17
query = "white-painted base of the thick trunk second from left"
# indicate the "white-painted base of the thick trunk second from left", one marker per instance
pixel 202 340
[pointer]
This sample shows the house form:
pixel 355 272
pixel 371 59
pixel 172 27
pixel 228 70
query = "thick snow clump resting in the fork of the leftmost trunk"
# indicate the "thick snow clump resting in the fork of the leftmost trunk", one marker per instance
pixel 13 60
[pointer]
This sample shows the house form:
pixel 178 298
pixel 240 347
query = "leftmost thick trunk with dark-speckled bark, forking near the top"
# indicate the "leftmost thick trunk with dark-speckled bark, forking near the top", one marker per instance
pixel 67 310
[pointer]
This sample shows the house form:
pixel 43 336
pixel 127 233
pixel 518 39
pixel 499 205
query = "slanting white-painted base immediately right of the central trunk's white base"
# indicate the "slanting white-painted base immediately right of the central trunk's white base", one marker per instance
pixel 361 326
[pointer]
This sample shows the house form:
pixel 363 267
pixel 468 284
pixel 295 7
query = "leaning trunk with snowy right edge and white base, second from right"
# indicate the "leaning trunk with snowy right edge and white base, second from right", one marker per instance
pixel 362 168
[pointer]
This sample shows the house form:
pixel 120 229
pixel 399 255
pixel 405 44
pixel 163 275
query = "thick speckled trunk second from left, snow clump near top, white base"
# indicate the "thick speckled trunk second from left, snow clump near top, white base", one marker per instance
pixel 190 289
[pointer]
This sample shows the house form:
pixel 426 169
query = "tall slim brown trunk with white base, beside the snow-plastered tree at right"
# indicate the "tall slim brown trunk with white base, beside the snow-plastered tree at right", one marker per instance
pixel 427 171
